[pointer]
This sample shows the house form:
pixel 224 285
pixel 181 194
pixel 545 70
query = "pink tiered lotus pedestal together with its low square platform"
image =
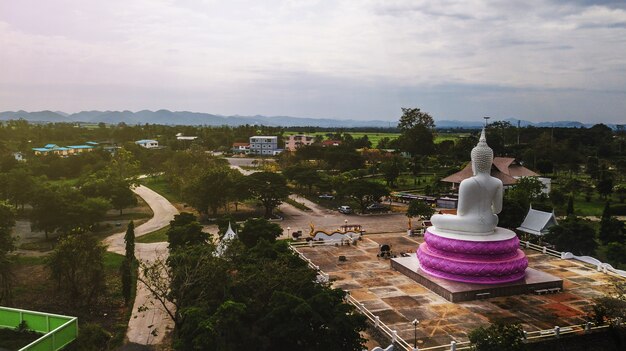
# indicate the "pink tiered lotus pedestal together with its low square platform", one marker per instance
pixel 464 270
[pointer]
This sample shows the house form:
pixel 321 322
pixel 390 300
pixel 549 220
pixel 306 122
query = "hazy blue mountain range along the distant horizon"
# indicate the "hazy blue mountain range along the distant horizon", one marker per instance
pixel 196 118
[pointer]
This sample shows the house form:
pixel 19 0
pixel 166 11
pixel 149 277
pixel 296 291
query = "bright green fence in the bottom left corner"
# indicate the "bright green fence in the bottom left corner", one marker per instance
pixel 58 330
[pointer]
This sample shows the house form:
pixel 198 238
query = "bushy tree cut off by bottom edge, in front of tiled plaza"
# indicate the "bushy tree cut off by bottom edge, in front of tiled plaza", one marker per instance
pixel 498 337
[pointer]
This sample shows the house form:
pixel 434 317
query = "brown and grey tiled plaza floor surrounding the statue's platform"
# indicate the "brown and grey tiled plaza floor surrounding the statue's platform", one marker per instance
pixel 398 300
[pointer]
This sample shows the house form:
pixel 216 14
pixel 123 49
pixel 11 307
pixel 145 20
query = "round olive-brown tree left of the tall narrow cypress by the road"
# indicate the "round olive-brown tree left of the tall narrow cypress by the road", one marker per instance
pixel 77 267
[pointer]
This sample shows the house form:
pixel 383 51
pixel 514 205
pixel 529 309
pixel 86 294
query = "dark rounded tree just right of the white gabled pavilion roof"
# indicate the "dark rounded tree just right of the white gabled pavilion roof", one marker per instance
pixel 574 235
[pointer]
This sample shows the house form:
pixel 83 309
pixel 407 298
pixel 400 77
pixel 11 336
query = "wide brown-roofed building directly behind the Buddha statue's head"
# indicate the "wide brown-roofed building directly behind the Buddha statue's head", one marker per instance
pixel 507 169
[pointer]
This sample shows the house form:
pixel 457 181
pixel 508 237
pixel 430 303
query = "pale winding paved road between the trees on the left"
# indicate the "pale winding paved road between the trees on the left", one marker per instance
pixel 150 326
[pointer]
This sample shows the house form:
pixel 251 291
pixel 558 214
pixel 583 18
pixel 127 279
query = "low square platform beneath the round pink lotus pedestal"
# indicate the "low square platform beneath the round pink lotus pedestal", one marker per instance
pixel 533 281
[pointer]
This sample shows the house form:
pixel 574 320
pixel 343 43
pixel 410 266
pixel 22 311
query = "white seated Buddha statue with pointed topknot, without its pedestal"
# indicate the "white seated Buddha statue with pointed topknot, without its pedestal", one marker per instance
pixel 480 198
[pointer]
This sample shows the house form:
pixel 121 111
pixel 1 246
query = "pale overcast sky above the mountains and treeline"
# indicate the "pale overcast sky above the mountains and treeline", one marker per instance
pixel 536 60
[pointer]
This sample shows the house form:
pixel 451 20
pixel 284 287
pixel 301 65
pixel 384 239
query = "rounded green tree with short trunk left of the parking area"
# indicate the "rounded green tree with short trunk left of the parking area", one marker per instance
pixel 268 188
